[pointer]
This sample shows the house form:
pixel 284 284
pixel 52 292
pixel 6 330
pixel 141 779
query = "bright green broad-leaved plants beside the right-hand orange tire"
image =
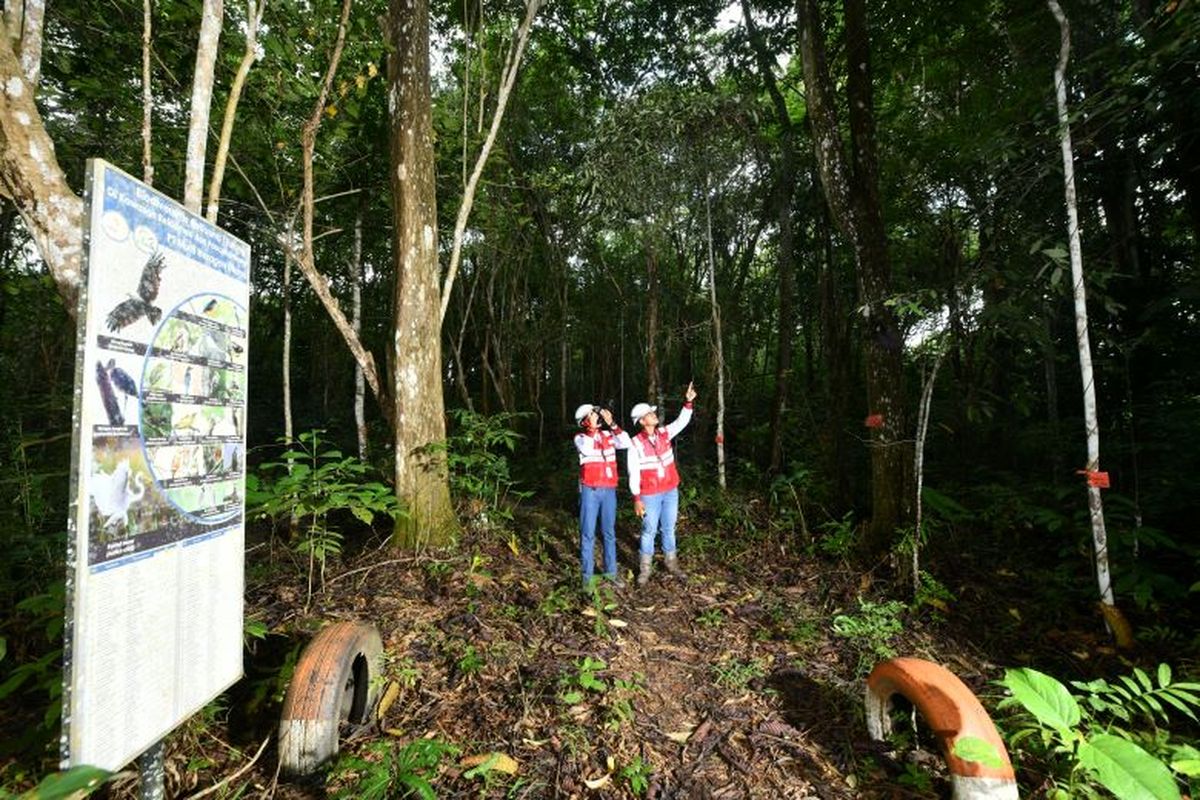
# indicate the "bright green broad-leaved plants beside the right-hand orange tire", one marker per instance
pixel 1085 743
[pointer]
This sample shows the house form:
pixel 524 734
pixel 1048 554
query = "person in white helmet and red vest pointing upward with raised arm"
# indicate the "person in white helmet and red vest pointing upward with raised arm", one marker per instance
pixel 655 482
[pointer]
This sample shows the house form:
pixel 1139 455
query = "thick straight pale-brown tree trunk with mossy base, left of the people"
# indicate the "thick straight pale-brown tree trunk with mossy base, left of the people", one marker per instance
pixel 416 356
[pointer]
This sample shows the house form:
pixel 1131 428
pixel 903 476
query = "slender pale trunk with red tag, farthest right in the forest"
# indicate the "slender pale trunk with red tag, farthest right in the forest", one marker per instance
pixel 1091 420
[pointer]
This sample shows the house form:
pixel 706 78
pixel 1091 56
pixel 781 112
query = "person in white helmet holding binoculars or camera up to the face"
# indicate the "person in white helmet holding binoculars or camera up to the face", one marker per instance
pixel 598 489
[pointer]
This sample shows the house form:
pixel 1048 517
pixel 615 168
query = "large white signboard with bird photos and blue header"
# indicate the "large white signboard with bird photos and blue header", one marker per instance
pixel 157 521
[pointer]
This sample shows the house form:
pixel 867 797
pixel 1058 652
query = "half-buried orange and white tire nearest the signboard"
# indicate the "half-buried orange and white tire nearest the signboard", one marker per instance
pixel 337 681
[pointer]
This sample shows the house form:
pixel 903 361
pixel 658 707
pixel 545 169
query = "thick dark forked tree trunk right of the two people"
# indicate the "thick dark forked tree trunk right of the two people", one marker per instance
pixel 851 190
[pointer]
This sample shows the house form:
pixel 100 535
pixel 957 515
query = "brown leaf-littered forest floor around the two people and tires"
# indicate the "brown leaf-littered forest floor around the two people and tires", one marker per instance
pixel 746 681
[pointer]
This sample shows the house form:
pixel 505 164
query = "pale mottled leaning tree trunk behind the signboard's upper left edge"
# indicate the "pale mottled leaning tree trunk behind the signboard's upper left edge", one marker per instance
pixel 32 178
